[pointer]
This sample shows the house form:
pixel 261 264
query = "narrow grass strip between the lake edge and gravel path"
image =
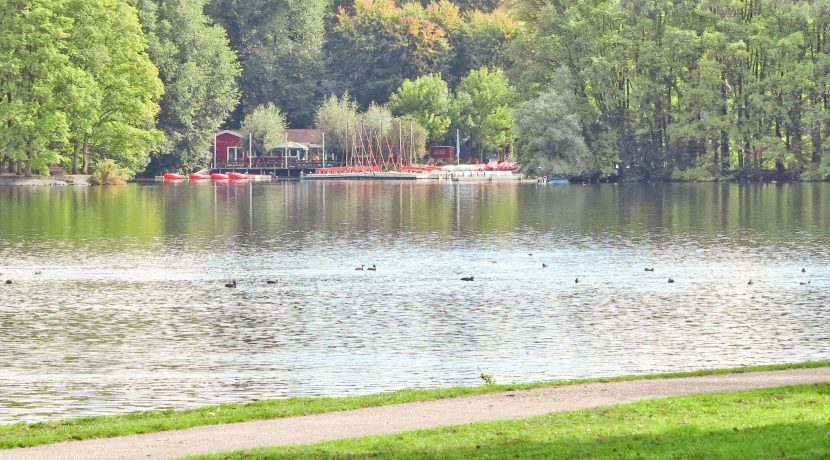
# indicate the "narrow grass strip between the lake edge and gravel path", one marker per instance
pixel 33 434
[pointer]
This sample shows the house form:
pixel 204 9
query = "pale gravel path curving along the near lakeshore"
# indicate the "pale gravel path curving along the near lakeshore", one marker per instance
pixel 405 417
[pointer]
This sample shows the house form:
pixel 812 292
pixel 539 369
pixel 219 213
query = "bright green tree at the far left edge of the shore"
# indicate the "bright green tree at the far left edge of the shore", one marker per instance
pixel 36 78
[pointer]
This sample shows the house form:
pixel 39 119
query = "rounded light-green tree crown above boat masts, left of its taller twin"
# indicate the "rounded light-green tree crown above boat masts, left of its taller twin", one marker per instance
pixel 426 99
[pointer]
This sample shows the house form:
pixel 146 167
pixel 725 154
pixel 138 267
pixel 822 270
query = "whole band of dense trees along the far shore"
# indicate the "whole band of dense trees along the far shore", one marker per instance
pixel 627 89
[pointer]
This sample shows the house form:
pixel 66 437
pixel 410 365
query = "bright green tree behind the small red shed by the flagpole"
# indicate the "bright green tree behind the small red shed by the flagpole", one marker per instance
pixel 482 110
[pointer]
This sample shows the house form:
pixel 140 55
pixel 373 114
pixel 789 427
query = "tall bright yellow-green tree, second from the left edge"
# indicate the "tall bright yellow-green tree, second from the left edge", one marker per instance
pixel 107 44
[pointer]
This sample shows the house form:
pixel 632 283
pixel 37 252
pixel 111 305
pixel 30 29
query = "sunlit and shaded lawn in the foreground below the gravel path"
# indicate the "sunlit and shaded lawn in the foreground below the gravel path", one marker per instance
pixel 792 422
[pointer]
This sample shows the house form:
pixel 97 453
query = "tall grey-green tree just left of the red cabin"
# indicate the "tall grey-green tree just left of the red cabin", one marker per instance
pixel 199 71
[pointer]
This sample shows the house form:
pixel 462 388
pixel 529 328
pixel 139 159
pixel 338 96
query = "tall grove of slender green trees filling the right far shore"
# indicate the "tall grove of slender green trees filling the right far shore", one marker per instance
pixel 739 88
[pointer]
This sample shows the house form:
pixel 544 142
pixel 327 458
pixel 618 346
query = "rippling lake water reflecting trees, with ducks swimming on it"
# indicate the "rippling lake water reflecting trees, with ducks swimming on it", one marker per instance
pixel 130 312
